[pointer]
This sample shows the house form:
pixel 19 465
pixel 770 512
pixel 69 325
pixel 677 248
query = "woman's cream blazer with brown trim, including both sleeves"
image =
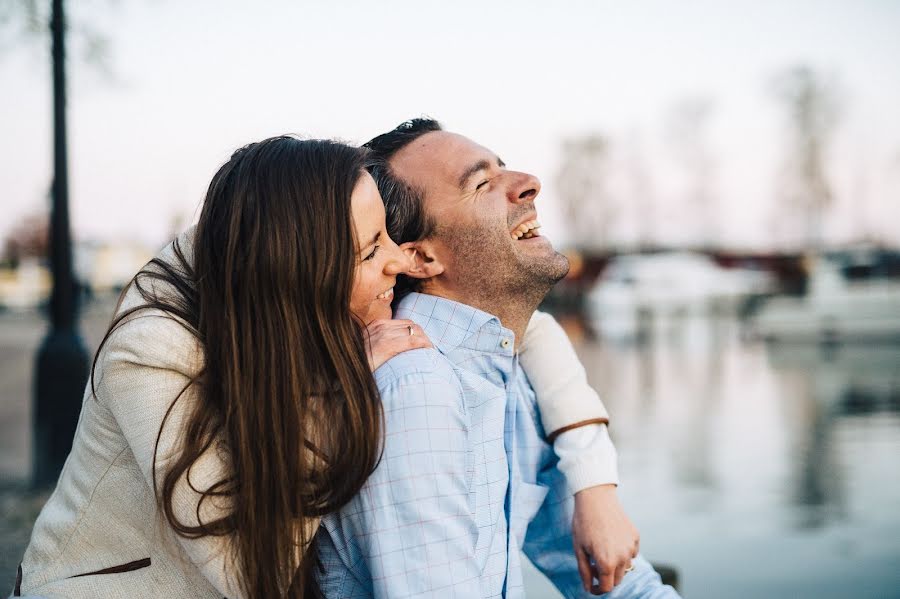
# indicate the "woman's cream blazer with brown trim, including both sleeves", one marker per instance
pixel 101 534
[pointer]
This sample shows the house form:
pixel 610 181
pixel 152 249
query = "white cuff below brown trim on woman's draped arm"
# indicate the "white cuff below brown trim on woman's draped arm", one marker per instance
pixel 587 457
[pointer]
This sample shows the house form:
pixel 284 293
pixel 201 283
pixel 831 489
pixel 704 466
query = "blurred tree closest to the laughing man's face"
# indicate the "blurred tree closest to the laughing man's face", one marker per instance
pixel 583 184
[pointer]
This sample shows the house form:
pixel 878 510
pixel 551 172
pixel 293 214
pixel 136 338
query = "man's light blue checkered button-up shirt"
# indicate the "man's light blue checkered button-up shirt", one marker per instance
pixel 438 517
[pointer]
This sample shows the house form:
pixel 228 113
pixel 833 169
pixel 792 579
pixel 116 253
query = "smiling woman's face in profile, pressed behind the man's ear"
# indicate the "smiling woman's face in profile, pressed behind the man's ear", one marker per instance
pixel 379 260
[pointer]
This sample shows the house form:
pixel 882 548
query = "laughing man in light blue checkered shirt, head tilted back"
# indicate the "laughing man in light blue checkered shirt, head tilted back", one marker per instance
pixel 468 476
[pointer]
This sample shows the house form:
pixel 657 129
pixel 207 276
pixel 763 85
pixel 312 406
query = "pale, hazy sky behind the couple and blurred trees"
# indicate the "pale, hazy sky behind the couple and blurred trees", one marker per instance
pixel 189 82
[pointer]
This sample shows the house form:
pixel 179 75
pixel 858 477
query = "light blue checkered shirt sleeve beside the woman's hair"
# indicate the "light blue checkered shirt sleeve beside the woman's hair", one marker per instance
pixel 410 532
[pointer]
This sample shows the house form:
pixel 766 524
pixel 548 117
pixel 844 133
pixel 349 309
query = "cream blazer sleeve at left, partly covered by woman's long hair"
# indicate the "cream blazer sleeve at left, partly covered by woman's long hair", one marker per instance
pixel 146 363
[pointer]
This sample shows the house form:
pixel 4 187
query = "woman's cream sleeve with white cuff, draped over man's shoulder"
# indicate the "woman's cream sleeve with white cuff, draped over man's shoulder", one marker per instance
pixel 572 413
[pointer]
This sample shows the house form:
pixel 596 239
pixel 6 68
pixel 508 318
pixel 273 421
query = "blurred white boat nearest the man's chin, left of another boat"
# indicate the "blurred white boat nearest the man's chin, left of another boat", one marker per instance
pixel 638 292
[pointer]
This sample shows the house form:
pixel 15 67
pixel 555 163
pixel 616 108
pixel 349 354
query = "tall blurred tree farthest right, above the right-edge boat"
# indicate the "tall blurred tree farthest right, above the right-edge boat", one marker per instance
pixel 811 104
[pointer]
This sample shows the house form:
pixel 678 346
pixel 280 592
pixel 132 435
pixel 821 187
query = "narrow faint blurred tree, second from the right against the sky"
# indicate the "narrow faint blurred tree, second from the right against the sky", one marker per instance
pixel 687 133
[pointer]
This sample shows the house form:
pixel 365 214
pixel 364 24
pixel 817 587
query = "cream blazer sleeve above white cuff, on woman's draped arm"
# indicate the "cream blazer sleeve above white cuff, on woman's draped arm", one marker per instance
pixel 564 398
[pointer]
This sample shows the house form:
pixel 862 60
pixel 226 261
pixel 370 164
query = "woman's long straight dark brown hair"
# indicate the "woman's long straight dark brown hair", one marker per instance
pixel 286 383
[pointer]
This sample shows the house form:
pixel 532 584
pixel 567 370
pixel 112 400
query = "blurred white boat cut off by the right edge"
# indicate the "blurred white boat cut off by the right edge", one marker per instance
pixel 833 309
